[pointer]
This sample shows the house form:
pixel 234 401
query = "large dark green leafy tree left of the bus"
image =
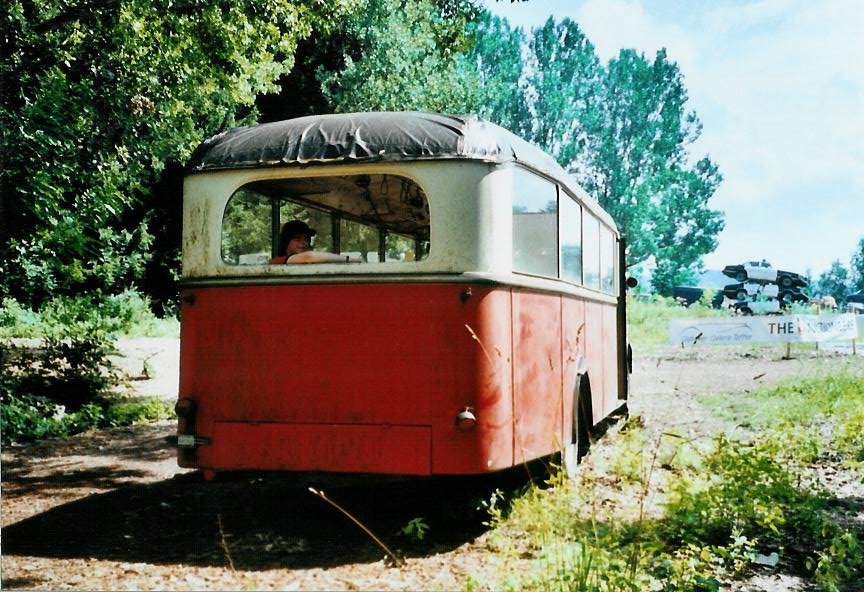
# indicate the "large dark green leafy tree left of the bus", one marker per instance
pixel 101 96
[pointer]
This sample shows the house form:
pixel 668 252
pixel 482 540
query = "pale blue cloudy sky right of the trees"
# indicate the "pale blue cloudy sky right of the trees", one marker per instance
pixel 779 88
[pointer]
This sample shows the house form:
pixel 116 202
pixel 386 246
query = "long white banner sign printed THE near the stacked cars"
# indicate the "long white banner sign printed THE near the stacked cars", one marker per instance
pixel 762 329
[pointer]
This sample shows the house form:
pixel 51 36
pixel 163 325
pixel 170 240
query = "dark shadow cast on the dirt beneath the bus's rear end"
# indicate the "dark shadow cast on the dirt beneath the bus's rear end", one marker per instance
pixel 248 522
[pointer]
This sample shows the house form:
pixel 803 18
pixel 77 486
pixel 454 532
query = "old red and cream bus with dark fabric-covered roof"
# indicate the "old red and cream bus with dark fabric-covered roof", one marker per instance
pixel 476 322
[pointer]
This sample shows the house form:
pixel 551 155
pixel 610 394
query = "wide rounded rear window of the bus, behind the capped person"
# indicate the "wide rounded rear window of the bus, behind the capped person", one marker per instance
pixel 372 218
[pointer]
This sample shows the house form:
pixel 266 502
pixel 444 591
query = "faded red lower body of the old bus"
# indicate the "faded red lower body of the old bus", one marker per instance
pixel 371 378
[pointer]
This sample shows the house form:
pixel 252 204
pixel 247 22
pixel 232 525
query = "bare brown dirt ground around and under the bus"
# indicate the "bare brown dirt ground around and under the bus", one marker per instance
pixel 111 510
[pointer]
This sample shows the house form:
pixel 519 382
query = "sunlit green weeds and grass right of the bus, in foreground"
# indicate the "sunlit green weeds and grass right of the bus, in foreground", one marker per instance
pixel 654 510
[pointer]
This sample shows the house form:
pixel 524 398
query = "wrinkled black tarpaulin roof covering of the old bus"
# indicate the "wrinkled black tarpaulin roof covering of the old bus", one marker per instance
pixel 365 137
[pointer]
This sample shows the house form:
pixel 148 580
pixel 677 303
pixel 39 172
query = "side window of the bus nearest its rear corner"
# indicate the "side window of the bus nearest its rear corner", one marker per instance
pixel 535 225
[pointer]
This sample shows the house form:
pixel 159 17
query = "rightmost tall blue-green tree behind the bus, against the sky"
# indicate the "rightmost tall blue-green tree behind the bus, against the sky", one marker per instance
pixel 638 165
